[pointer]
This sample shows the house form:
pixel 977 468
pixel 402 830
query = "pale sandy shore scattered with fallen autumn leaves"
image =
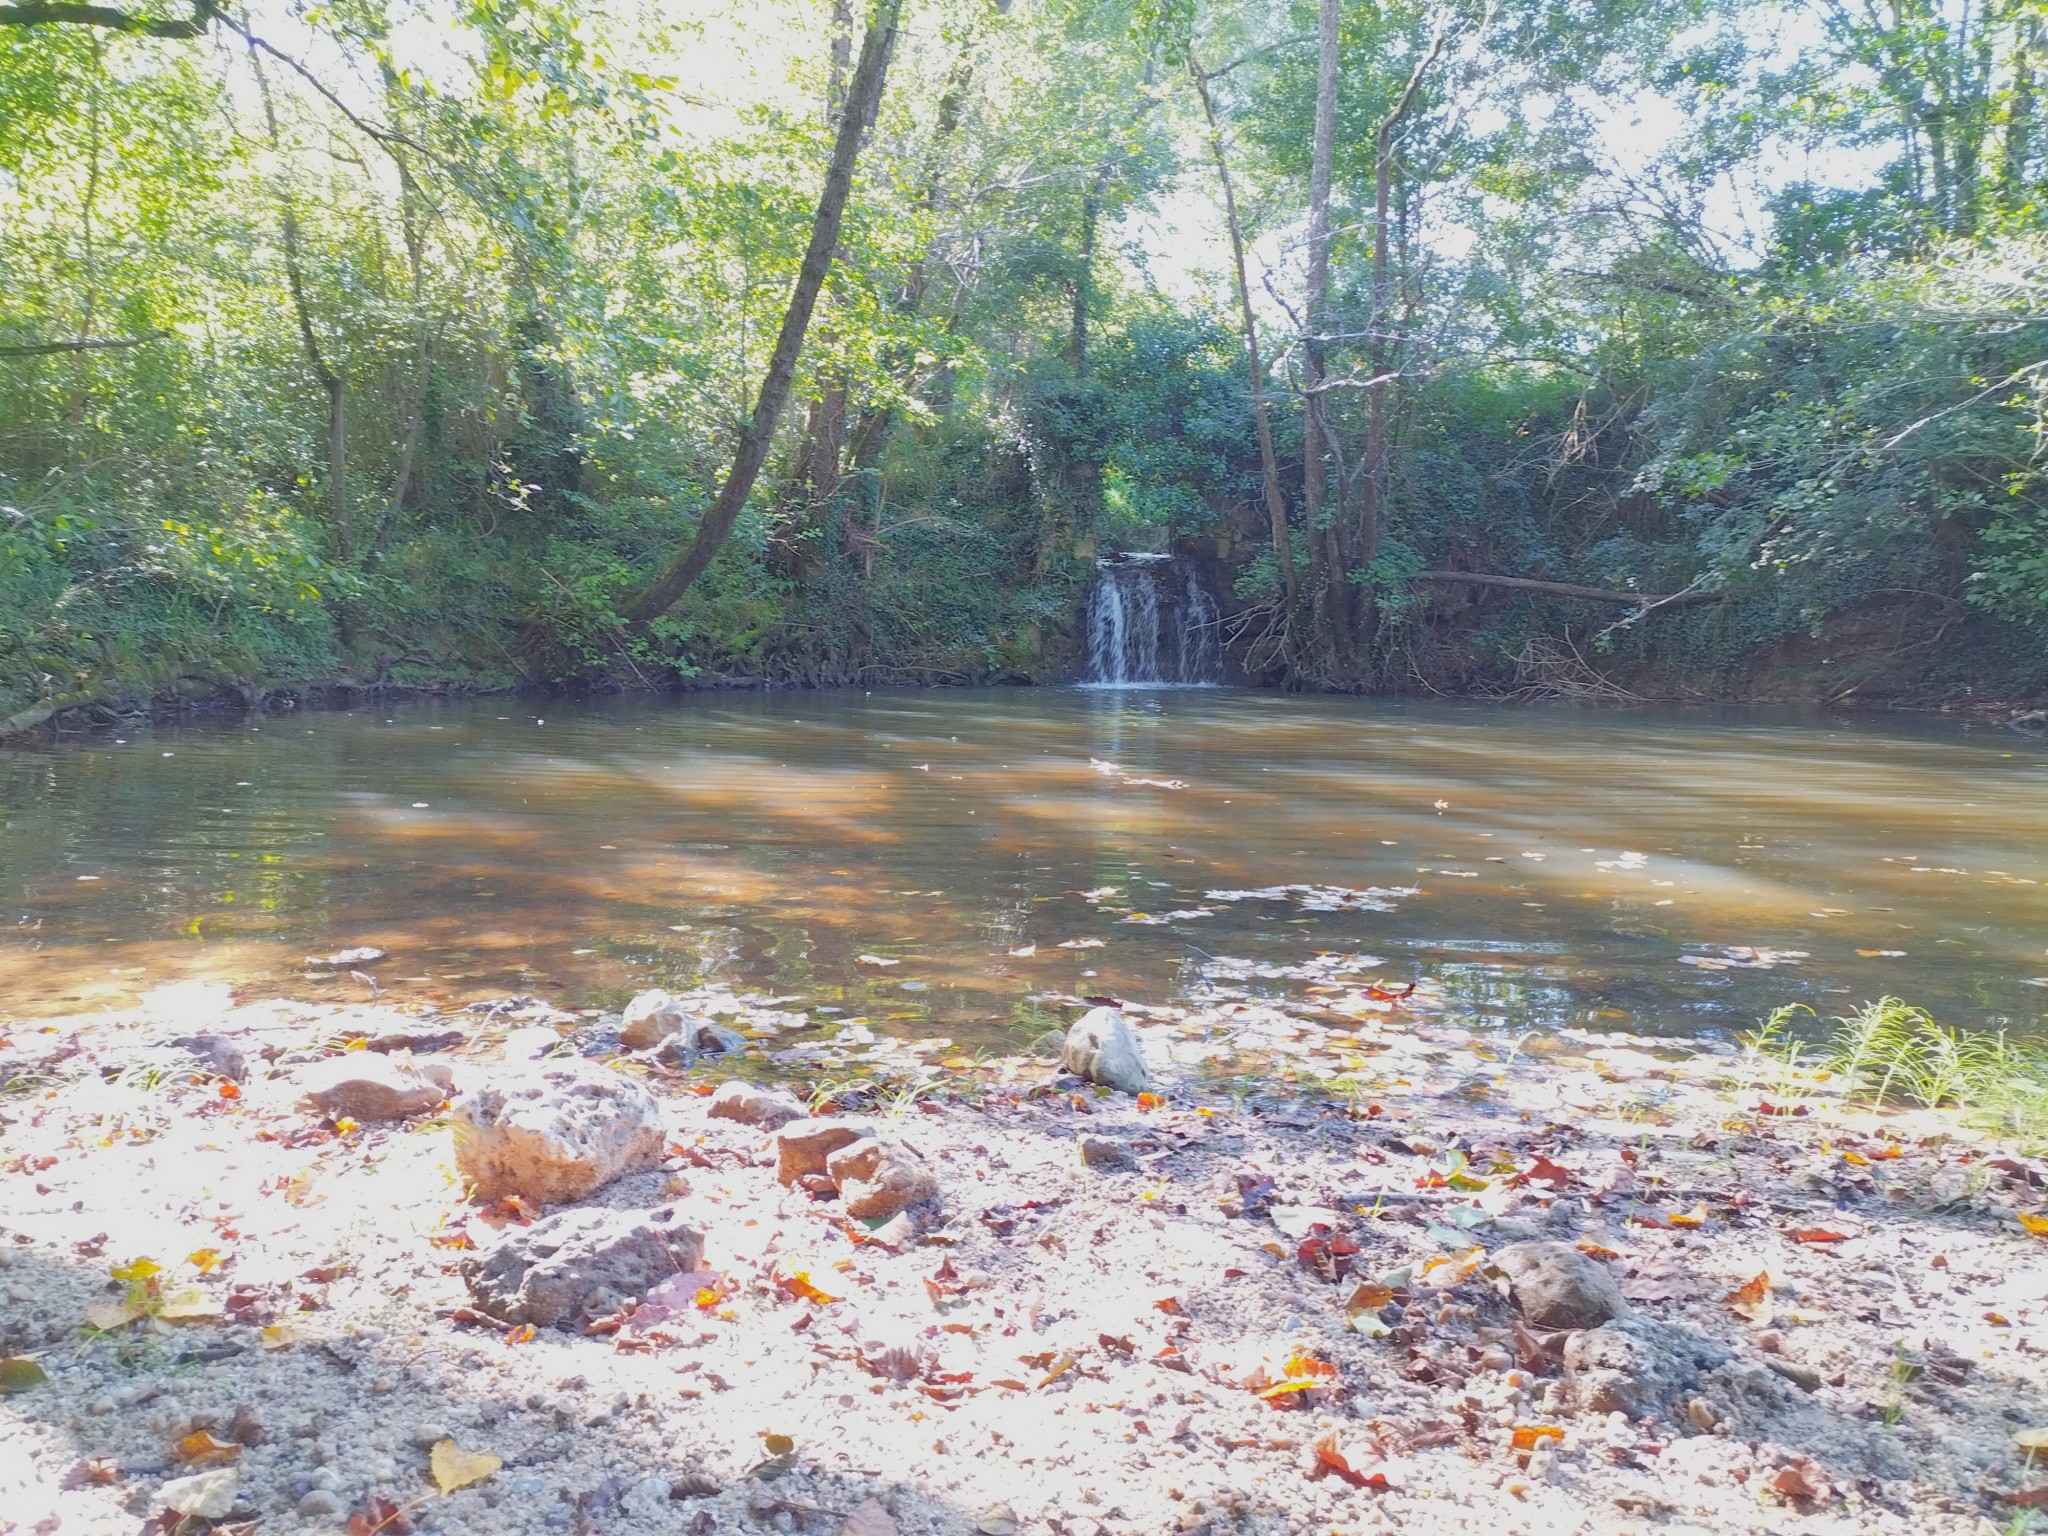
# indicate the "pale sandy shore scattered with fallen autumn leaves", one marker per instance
pixel 1279 1316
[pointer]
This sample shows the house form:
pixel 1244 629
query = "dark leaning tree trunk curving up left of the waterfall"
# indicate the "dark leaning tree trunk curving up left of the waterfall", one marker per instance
pixel 863 99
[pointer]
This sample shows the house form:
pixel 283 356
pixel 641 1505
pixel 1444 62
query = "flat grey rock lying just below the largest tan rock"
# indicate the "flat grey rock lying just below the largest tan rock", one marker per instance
pixel 550 1273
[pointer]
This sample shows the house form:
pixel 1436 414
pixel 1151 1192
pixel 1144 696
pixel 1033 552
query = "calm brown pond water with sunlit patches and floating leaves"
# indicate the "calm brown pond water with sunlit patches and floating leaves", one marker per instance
pixel 937 859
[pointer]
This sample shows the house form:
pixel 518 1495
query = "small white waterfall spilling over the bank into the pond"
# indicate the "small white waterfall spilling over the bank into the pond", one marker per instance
pixel 1152 626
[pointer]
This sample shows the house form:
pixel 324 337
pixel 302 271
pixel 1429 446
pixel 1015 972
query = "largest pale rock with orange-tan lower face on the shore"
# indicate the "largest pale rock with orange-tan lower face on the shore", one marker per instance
pixel 556 1132
